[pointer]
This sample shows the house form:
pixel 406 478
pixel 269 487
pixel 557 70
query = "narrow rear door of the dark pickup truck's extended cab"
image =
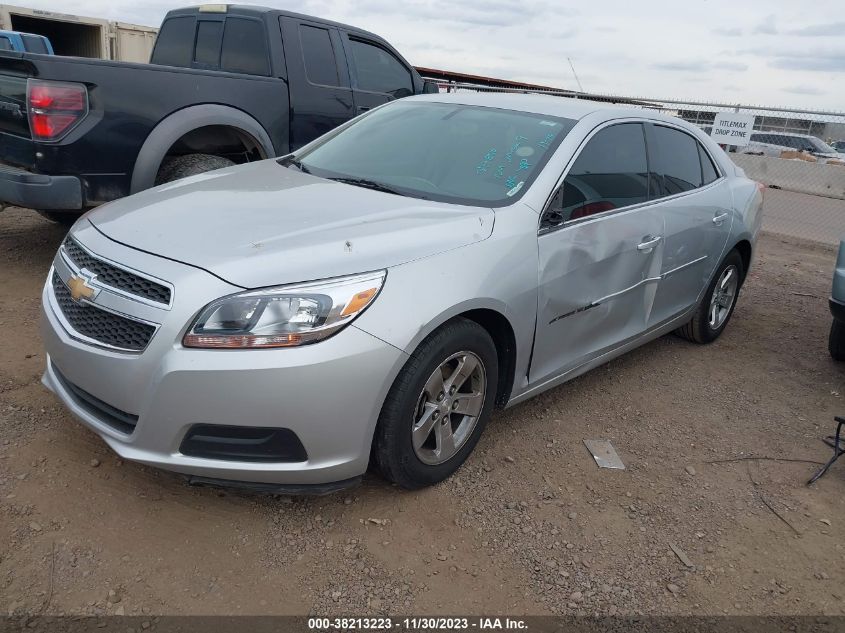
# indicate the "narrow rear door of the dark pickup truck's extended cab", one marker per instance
pixel 320 94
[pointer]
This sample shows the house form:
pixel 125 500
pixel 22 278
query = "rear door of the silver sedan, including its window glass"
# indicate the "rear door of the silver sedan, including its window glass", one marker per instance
pixel 694 200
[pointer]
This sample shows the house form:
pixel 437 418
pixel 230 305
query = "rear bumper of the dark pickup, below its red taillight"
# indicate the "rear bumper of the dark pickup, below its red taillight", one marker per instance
pixel 22 188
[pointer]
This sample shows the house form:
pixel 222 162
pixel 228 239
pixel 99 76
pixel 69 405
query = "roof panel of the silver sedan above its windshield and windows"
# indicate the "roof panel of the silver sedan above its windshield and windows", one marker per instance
pixel 550 105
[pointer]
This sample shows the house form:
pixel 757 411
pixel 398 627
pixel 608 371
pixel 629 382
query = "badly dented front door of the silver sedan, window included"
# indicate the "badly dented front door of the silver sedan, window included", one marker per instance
pixel 600 250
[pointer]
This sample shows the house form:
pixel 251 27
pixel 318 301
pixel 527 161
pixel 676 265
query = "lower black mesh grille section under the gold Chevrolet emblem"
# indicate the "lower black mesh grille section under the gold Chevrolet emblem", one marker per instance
pixel 99 325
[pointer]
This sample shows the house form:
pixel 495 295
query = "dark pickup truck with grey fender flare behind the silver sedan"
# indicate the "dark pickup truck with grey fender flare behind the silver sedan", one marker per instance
pixel 226 84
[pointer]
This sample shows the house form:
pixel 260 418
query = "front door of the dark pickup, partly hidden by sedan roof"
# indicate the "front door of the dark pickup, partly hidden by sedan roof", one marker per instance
pixel 378 74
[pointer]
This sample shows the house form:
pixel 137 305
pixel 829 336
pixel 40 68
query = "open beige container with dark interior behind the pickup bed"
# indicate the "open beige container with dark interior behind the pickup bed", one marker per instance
pixel 80 36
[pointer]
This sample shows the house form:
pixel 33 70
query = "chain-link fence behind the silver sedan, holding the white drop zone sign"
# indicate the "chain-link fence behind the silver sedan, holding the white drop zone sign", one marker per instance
pixel 798 154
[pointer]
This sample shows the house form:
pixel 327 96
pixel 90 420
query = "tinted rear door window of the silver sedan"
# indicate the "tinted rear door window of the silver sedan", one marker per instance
pixel 676 160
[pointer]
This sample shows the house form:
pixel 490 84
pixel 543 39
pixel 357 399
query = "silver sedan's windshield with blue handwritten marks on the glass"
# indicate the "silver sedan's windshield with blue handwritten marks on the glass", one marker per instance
pixel 447 152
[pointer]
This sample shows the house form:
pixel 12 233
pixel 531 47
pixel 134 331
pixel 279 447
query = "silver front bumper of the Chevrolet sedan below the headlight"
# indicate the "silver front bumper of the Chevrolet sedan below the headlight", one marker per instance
pixel 329 394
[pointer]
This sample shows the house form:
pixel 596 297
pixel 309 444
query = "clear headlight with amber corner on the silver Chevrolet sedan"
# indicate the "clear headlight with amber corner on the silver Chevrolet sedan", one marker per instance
pixel 286 316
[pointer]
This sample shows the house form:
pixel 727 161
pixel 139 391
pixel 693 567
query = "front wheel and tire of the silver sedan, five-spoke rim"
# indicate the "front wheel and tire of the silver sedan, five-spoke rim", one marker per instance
pixel 410 406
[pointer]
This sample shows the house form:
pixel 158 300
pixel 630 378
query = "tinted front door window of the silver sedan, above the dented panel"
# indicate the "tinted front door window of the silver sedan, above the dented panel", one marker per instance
pixel 610 172
